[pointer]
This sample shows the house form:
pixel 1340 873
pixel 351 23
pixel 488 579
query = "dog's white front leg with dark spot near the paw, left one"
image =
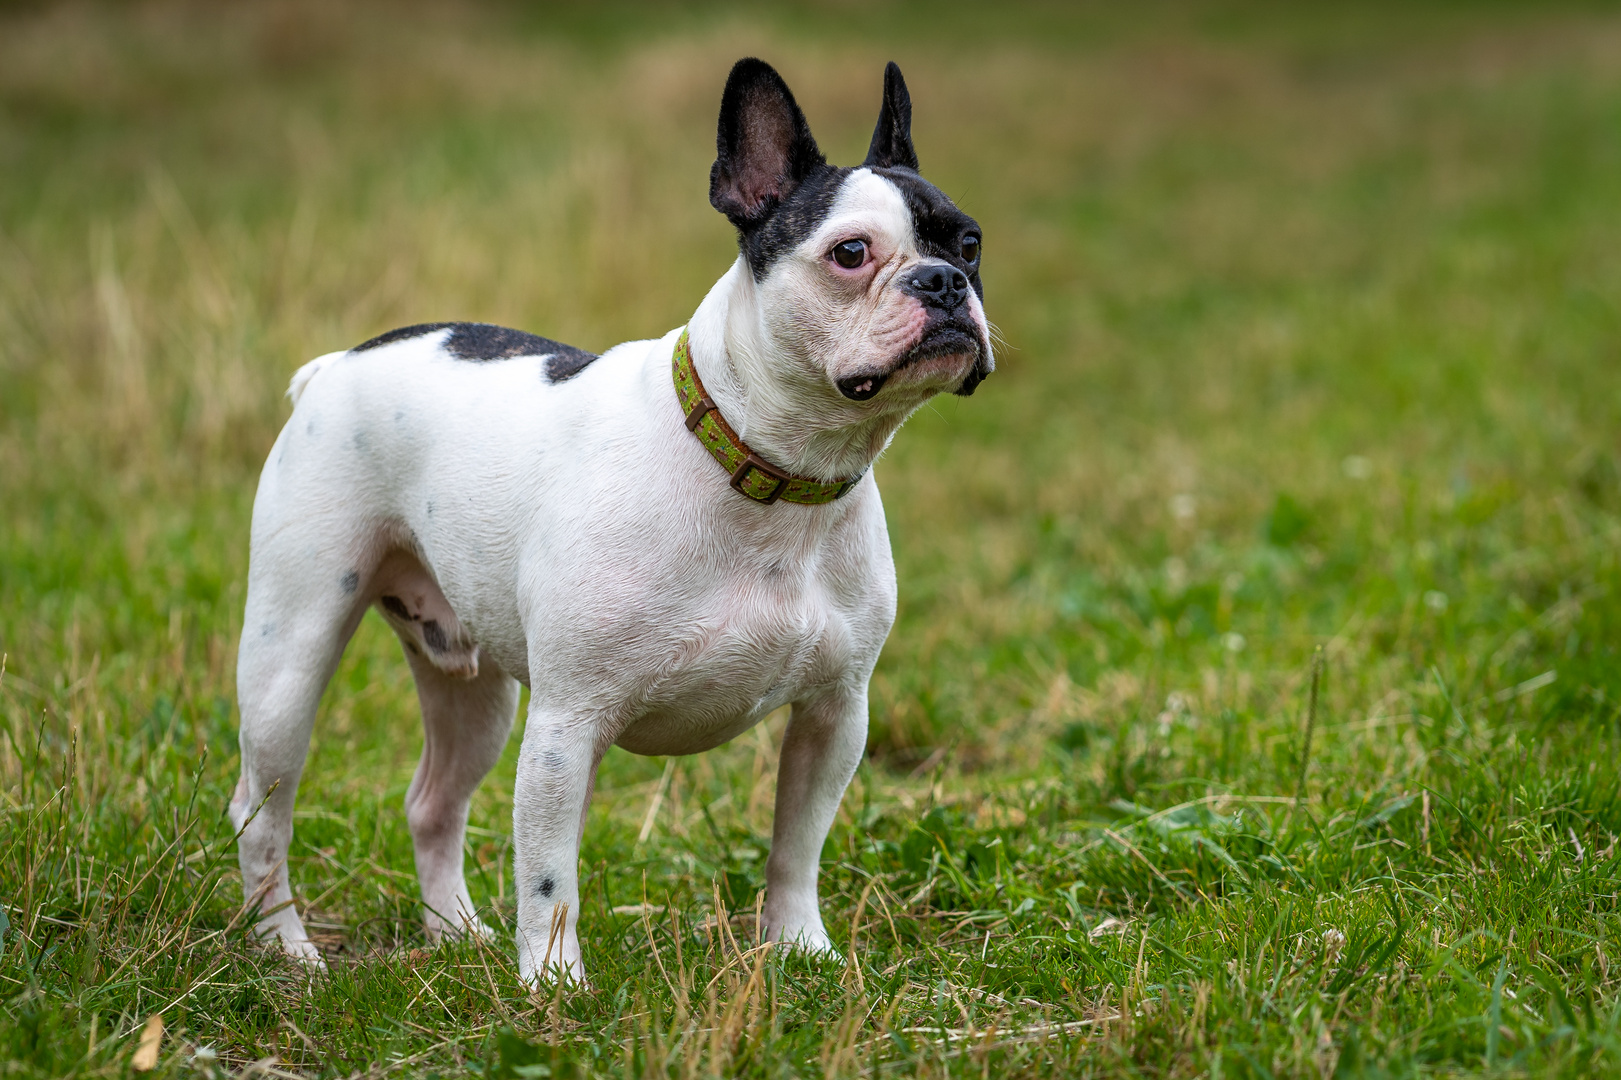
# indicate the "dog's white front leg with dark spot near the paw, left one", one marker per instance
pixel 557 769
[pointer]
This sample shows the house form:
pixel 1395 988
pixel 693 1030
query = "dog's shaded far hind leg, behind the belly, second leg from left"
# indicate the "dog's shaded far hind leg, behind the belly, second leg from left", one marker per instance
pixel 466 726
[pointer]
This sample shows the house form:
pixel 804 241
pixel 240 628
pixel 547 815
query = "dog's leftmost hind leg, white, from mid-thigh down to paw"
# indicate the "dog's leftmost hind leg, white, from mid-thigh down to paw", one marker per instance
pixel 299 617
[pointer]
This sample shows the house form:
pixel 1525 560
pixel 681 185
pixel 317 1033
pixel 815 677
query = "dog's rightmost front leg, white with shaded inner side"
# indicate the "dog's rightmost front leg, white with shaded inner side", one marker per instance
pixel 821 752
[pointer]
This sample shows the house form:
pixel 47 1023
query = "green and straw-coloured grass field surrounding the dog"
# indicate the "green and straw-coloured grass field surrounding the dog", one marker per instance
pixel 1314 345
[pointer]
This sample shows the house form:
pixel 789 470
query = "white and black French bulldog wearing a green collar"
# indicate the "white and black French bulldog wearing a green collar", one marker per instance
pixel 664 542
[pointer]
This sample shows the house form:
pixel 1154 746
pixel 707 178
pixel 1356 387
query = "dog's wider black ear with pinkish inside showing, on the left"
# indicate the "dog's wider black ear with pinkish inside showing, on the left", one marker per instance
pixel 763 148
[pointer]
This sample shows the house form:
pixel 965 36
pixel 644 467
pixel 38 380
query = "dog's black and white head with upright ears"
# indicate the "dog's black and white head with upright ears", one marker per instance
pixel 868 278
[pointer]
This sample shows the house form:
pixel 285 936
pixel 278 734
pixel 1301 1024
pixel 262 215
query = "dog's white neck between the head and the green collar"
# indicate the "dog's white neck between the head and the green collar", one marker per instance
pixel 781 405
